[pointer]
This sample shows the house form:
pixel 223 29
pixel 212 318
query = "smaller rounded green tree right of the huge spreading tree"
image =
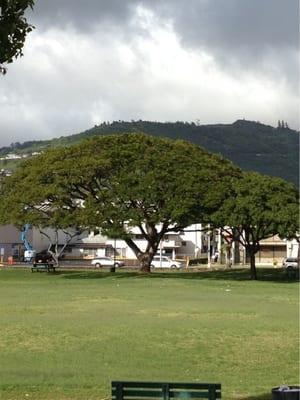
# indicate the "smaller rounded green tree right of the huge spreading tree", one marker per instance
pixel 259 207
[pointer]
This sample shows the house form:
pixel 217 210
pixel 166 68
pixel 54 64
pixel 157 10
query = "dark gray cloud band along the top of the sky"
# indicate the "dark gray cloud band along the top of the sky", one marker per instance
pixel 240 34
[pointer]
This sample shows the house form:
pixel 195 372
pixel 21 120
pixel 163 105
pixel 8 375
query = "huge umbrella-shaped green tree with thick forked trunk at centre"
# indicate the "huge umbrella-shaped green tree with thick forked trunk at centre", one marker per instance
pixel 123 181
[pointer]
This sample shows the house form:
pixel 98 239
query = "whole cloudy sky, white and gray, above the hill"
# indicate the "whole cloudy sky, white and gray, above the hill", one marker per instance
pixel 90 61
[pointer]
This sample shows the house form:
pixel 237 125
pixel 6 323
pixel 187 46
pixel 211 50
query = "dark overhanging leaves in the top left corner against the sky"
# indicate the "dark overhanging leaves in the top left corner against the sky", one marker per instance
pixel 13 29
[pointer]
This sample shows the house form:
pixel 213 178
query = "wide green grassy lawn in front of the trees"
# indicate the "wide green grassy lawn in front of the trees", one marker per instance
pixel 67 335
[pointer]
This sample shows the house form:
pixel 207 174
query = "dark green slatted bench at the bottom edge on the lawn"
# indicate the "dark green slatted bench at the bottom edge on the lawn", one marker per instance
pixel 166 391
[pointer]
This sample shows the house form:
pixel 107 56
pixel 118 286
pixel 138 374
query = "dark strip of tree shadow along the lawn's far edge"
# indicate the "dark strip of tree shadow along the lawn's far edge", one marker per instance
pixel 242 274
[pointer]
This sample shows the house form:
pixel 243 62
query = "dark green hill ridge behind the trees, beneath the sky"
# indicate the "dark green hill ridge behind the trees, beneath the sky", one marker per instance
pixel 251 145
